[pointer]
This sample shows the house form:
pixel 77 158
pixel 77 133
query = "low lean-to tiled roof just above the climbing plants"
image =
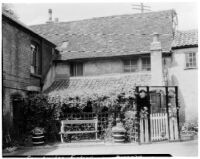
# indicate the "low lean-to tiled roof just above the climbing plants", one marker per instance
pixel 106 83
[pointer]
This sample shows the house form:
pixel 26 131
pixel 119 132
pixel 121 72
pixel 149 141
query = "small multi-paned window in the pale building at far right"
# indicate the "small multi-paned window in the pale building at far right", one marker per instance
pixel 191 60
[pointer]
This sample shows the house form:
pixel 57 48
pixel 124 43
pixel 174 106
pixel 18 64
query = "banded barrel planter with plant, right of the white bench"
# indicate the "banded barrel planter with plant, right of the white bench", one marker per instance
pixel 118 133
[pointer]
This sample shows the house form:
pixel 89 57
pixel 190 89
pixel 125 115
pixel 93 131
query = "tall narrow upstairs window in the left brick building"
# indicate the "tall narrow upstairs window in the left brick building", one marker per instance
pixel 35 58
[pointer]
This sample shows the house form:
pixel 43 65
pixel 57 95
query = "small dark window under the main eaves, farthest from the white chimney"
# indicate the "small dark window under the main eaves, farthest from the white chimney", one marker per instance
pixel 76 69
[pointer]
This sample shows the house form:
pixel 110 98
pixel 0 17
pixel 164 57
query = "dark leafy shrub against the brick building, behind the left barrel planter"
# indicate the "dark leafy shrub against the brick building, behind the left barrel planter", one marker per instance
pixel 38 112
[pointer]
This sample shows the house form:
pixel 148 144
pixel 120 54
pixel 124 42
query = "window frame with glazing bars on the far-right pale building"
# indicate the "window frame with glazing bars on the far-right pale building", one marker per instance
pixel 191 64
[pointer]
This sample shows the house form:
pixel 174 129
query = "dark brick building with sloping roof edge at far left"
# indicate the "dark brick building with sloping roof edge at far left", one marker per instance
pixel 26 57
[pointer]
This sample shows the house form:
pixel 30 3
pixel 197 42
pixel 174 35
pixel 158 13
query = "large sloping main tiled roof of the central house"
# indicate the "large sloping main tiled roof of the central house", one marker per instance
pixel 109 36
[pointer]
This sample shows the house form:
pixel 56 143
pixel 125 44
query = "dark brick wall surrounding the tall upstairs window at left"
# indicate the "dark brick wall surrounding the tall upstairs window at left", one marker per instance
pixel 16 57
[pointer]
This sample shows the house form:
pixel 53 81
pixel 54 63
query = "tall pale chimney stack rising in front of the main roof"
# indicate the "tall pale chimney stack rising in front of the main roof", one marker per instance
pixel 156 62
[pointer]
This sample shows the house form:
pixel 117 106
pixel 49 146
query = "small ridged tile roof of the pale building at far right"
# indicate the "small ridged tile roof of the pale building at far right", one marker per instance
pixel 185 38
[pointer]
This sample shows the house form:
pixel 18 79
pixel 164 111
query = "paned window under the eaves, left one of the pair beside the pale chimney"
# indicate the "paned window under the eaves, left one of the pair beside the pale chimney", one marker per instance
pixel 130 65
